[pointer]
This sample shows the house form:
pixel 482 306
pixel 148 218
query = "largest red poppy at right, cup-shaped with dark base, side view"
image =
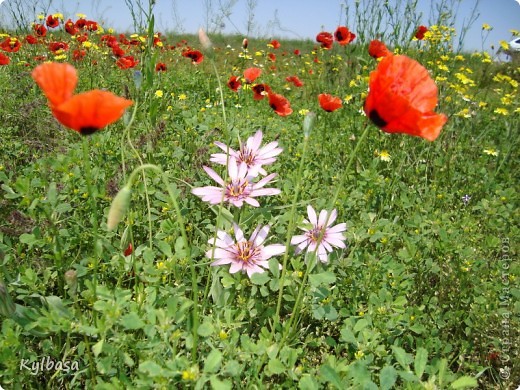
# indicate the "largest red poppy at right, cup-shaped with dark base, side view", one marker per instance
pixel 402 97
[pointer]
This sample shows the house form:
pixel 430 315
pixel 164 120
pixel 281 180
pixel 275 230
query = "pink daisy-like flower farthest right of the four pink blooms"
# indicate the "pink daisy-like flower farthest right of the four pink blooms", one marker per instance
pixel 331 235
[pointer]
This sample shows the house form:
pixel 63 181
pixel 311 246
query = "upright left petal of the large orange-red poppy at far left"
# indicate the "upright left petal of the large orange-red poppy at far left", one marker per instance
pixel 57 81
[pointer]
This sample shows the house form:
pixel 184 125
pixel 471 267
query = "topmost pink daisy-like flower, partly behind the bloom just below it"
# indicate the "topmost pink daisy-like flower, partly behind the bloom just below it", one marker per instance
pixel 250 153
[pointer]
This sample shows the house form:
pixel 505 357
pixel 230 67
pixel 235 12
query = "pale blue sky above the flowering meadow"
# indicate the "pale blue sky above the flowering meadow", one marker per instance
pixel 298 18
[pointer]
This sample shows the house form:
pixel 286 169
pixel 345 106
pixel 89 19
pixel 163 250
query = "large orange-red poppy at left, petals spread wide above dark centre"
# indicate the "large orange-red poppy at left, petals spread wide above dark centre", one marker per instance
pixel 86 112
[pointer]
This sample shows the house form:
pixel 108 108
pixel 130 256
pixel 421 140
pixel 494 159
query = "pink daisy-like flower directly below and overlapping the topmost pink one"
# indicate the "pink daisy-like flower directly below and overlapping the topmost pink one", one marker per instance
pixel 238 189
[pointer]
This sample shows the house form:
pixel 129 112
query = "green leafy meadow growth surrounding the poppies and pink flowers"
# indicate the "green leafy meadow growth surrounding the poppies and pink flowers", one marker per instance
pixel 424 296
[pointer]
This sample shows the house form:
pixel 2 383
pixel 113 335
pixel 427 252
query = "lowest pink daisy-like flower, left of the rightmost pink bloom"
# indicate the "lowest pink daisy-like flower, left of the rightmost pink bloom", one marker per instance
pixel 244 255
